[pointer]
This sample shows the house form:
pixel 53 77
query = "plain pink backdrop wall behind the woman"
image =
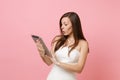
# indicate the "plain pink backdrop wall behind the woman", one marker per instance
pixel 19 59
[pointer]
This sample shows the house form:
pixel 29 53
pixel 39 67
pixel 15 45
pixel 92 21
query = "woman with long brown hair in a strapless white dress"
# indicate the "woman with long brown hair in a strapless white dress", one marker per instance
pixel 69 49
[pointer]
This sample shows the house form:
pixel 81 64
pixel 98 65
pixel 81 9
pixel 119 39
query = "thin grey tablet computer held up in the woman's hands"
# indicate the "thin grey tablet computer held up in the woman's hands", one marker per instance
pixel 47 52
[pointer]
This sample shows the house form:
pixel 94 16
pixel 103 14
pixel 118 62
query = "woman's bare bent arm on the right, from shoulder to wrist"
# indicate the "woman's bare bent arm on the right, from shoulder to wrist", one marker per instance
pixel 78 67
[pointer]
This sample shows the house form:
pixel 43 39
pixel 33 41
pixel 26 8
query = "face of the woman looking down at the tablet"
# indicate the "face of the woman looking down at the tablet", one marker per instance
pixel 66 26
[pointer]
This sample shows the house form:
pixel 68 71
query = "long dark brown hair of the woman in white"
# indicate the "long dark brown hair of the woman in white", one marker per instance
pixel 77 30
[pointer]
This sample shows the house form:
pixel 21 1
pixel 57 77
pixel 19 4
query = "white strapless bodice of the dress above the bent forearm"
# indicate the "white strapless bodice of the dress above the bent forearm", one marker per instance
pixel 62 55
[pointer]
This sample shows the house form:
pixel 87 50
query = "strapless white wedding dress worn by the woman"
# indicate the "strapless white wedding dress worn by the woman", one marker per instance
pixel 58 73
